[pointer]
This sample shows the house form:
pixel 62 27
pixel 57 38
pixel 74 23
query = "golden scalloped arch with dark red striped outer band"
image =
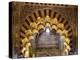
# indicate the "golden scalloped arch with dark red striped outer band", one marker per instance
pixel 39 20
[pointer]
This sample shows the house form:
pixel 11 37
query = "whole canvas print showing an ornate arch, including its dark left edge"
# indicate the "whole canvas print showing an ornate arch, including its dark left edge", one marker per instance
pixel 42 29
